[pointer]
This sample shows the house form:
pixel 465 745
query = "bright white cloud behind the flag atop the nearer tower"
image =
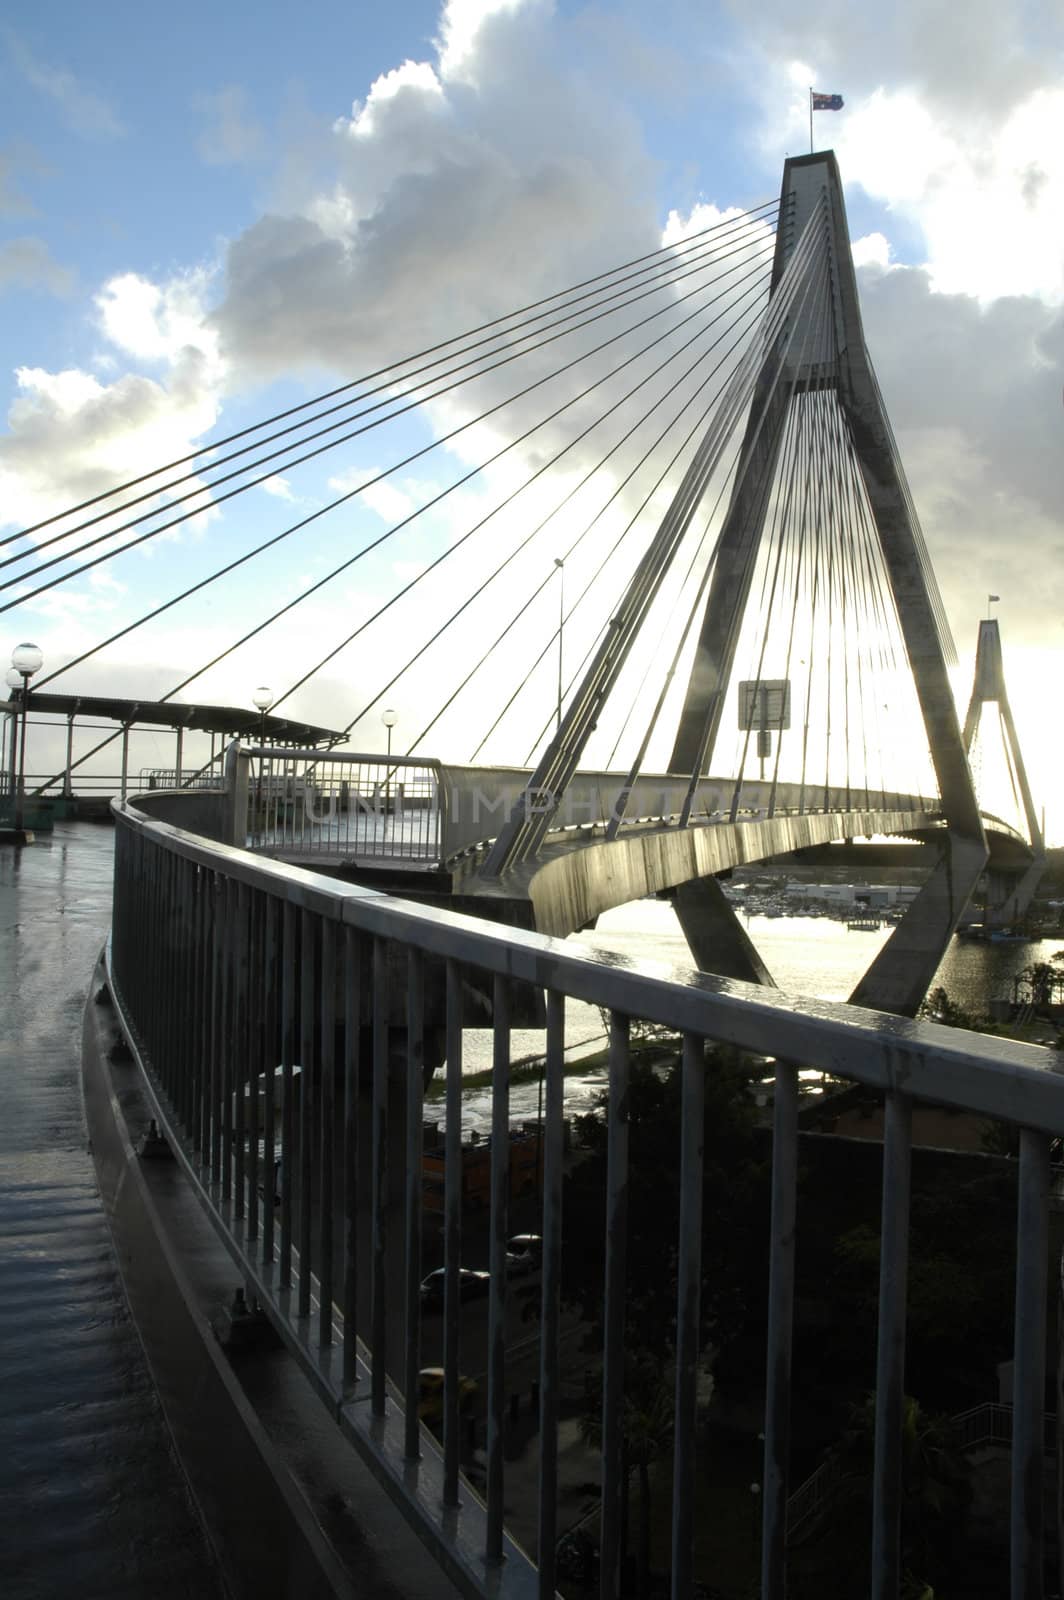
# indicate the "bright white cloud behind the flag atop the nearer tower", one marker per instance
pixel 958 130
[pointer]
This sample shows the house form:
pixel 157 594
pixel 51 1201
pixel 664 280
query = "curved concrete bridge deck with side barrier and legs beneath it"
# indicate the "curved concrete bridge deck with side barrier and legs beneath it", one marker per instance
pixel 372 822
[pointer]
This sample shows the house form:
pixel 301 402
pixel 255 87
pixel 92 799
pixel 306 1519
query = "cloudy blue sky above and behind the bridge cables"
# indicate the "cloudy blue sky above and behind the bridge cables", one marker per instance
pixel 212 214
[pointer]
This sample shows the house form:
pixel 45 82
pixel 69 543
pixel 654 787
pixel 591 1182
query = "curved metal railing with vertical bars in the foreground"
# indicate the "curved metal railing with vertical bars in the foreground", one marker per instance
pixel 250 990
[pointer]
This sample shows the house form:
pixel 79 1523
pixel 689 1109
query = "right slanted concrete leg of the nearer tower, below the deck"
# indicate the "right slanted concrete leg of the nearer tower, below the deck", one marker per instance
pixel 903 972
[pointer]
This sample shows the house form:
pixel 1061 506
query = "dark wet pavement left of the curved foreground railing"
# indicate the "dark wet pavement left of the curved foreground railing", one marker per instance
pixel 92 1497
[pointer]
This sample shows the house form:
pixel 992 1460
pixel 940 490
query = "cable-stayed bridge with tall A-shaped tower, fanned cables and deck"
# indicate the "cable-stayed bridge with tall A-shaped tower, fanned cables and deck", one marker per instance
pixel 686 550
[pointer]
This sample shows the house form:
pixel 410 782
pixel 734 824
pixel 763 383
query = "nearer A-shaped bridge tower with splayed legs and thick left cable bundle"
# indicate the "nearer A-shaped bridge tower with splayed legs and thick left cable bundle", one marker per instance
pixel 825 326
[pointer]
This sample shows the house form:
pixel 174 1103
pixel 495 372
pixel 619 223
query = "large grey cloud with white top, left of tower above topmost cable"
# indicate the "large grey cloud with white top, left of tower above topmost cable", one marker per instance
pixel 463 188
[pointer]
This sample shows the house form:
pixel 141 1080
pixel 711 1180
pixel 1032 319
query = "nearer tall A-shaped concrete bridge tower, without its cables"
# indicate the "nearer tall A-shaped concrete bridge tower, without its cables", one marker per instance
pixel 900 977
